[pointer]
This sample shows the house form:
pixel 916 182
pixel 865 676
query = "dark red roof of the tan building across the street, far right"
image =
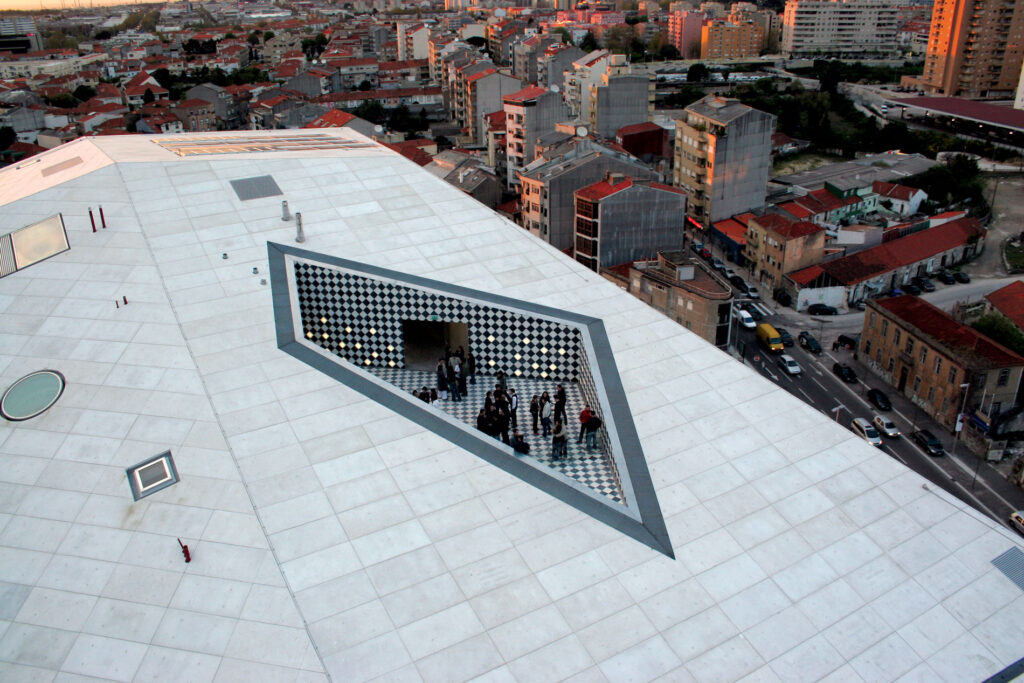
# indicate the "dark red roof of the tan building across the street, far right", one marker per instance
pixel 942 328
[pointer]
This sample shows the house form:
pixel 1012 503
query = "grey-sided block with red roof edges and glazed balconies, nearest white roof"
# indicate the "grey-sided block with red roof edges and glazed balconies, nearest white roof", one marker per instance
pixel 619 220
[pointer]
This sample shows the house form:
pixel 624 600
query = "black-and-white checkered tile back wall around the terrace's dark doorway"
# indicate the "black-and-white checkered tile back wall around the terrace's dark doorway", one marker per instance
pixel 360 319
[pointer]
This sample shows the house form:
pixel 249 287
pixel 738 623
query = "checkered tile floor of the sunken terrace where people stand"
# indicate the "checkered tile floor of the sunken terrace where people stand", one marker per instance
pixel 588 467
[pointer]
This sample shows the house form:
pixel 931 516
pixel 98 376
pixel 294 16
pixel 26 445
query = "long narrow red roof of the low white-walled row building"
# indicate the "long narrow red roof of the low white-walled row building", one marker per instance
pixel 904 251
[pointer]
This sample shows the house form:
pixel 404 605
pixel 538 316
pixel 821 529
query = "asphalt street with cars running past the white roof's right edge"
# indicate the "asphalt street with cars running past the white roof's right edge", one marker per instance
pixel 821 389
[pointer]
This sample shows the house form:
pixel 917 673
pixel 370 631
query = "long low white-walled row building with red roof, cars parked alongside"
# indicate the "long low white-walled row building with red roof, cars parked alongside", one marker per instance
pixel 873 272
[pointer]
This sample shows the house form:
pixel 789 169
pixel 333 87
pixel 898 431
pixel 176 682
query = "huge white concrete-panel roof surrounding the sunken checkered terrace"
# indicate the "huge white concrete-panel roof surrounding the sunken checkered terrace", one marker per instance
pixel 334 538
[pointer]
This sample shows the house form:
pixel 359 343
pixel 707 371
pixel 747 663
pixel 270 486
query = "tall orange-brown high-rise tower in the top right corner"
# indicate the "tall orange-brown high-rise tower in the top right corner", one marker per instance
pixel 975 49
